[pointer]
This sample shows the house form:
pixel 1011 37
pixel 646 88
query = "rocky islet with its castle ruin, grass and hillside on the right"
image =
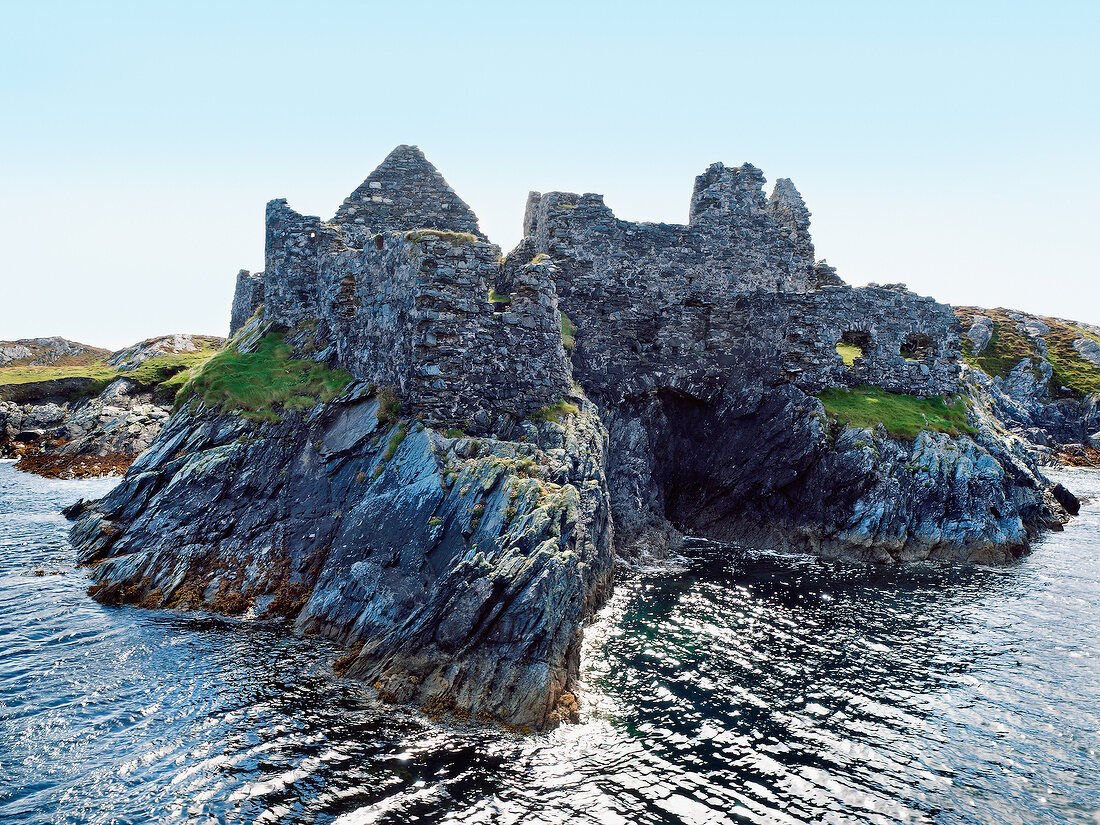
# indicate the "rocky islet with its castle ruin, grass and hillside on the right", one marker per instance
pixel 437 455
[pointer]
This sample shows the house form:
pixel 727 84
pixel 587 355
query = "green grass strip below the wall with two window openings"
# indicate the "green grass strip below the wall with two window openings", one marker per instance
pixel 904 416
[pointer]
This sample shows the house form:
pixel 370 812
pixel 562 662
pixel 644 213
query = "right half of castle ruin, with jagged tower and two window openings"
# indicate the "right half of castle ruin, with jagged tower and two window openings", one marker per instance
pixel 735 295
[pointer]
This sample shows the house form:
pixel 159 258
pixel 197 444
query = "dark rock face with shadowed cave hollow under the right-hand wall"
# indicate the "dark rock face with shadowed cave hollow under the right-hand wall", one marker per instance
pixel 764 467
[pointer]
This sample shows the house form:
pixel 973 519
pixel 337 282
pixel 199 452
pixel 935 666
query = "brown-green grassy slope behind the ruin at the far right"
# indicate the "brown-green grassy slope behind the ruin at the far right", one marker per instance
pixel 1008 347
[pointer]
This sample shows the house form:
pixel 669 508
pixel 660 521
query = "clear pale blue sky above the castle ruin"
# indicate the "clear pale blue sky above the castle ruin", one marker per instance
pixel 952 147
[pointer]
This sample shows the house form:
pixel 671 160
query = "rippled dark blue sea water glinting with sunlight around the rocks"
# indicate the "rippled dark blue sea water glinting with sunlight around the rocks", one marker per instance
pixel 752 688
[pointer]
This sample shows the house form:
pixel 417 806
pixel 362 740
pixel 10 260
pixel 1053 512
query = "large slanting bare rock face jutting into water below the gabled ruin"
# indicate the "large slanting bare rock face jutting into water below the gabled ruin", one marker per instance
pixel 460 570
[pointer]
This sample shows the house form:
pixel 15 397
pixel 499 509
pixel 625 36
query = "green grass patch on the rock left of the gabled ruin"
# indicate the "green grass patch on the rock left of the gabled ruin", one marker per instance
pixel 263 383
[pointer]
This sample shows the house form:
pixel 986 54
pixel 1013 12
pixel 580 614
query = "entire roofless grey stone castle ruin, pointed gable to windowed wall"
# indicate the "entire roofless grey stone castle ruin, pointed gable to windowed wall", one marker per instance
pixel 401 279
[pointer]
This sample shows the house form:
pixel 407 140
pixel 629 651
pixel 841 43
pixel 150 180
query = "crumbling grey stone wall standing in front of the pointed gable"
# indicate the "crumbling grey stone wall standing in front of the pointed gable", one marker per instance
pixel 411 310
